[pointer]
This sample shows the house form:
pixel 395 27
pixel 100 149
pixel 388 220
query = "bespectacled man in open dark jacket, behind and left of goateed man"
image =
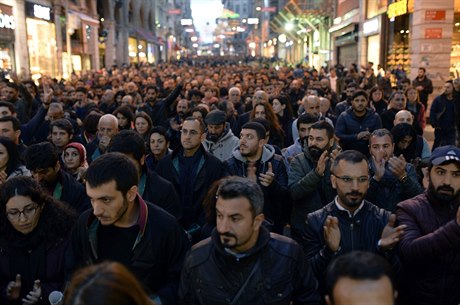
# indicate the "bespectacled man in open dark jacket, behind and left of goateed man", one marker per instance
pixel 192 170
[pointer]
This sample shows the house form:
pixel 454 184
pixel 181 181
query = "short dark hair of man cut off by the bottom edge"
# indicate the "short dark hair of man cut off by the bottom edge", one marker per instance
pixel 359 265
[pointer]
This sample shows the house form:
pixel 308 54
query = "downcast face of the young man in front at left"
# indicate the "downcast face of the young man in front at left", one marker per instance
pixel 110 206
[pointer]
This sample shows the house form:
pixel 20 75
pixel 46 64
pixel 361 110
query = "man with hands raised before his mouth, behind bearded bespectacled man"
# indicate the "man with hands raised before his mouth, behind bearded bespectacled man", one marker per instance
pixel 393 179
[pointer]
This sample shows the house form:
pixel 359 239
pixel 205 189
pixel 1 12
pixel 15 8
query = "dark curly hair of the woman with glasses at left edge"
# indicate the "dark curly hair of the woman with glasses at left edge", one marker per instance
pixel 57 218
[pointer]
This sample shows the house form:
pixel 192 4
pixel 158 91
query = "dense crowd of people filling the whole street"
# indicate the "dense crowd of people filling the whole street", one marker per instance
pixel 224 182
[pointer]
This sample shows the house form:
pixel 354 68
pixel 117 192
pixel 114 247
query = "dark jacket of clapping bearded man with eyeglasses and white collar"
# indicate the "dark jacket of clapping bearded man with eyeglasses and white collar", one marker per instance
pixel 360 232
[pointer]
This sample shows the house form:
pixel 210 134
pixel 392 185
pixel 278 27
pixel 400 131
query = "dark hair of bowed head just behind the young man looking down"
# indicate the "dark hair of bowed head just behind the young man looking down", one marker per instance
pixel 128 142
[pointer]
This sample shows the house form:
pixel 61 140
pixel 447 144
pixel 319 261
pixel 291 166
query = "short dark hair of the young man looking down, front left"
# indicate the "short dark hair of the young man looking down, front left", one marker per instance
pixel 113 166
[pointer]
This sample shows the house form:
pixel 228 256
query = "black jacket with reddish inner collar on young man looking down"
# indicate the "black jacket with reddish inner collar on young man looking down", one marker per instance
pixel 157 255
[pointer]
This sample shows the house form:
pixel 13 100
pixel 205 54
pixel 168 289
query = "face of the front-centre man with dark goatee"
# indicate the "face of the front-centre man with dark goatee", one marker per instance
pixel 237 227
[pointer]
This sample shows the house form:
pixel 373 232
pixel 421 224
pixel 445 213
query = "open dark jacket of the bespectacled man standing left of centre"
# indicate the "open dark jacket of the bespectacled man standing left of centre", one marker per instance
pixel 209 170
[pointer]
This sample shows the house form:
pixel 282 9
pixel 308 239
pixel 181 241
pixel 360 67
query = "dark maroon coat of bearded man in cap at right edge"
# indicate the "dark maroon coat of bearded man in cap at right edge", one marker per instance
pixel 429 251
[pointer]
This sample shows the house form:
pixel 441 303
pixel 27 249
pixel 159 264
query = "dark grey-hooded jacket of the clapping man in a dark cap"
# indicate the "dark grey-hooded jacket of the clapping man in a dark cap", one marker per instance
pixel 277 200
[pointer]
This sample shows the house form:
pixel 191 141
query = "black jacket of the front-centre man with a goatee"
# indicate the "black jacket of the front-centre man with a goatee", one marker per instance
pixel 213 276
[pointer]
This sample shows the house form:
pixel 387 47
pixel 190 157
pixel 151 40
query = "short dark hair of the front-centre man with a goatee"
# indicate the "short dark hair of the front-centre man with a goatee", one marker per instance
pixel 236 187
